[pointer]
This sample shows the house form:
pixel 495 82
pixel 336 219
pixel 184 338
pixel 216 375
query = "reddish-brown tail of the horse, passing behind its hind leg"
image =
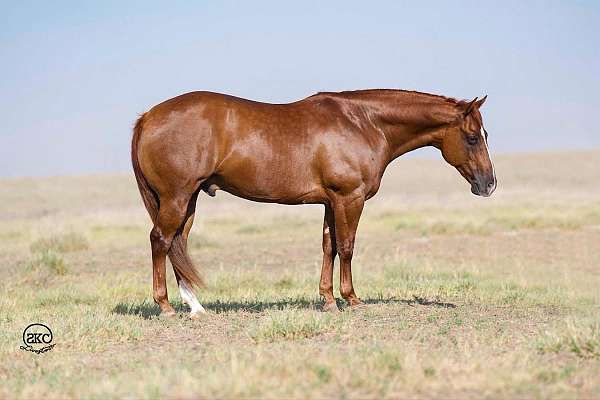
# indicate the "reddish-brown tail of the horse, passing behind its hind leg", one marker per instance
pixel 178 255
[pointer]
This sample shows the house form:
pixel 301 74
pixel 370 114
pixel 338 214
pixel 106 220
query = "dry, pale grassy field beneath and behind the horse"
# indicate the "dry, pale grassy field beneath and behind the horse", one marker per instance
pixel 466 297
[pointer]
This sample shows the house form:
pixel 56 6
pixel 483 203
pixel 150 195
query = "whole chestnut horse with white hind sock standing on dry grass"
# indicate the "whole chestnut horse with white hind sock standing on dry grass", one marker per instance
pixel 330 149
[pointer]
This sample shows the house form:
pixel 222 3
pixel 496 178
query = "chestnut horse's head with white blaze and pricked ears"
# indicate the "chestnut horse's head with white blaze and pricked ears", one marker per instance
pixel 464 146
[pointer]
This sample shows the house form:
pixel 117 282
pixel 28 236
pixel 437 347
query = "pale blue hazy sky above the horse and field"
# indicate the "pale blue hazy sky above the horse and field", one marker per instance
pixel 74 75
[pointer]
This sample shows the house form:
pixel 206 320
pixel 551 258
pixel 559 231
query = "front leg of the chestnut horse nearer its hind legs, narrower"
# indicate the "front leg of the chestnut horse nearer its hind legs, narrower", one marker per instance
pixel 329 252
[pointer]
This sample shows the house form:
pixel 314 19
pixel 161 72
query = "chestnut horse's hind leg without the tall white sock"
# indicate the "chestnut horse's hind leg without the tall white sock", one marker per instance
pixel 169 219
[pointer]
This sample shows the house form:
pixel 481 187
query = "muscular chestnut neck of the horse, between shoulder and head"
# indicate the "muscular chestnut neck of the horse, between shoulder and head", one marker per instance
pixel 408 121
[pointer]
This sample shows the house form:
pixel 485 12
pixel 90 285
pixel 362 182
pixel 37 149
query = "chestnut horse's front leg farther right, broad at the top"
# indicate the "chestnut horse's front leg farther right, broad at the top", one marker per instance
pixel 347 210
